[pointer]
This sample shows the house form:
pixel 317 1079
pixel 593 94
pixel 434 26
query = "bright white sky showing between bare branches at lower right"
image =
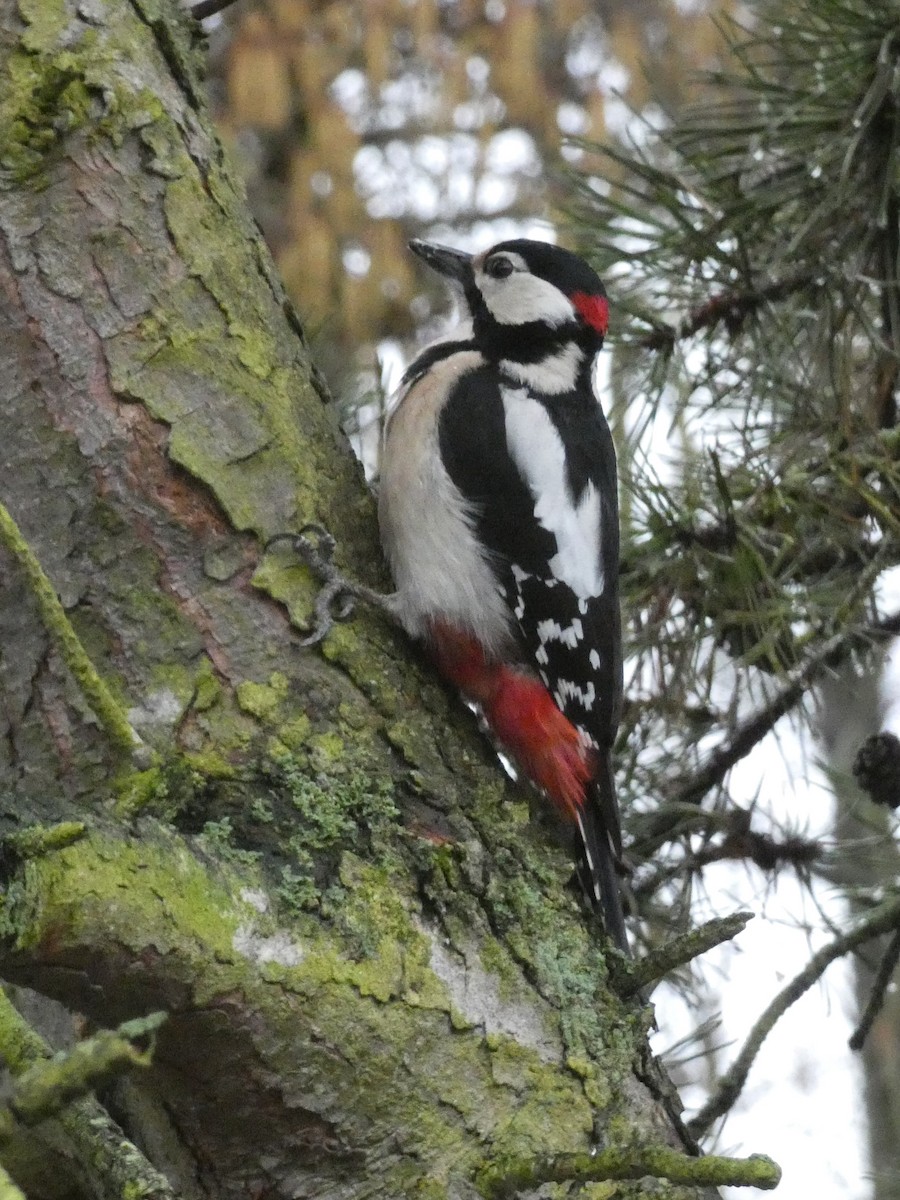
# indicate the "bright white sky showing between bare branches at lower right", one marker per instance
pixel 802 1103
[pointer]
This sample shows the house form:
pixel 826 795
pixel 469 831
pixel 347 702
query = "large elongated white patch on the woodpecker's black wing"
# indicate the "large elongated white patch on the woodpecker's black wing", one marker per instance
pixel 537 449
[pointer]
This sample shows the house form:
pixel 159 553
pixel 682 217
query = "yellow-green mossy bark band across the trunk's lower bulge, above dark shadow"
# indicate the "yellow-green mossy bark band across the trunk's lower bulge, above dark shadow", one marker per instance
pixel 209 933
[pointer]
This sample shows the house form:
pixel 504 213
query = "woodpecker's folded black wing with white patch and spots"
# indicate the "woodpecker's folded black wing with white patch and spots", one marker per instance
pixel 547 509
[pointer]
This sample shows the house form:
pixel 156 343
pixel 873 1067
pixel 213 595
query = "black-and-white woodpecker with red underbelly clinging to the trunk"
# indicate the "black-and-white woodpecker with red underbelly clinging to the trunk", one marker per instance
pixel 499 513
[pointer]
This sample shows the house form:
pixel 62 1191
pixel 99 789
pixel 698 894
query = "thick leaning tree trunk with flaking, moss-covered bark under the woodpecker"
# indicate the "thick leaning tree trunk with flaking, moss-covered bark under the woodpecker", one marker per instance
pixel 376 976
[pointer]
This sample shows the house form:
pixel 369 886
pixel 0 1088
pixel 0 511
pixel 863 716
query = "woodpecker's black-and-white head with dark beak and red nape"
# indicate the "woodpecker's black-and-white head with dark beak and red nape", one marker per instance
pixel 525 291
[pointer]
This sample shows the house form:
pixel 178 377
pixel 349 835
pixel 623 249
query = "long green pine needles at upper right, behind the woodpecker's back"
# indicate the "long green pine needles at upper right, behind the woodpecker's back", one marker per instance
pixel 753 249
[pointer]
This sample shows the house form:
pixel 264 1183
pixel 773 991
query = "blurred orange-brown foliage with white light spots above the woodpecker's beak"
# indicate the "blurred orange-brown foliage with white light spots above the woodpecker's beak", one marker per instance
pixel 361 125
